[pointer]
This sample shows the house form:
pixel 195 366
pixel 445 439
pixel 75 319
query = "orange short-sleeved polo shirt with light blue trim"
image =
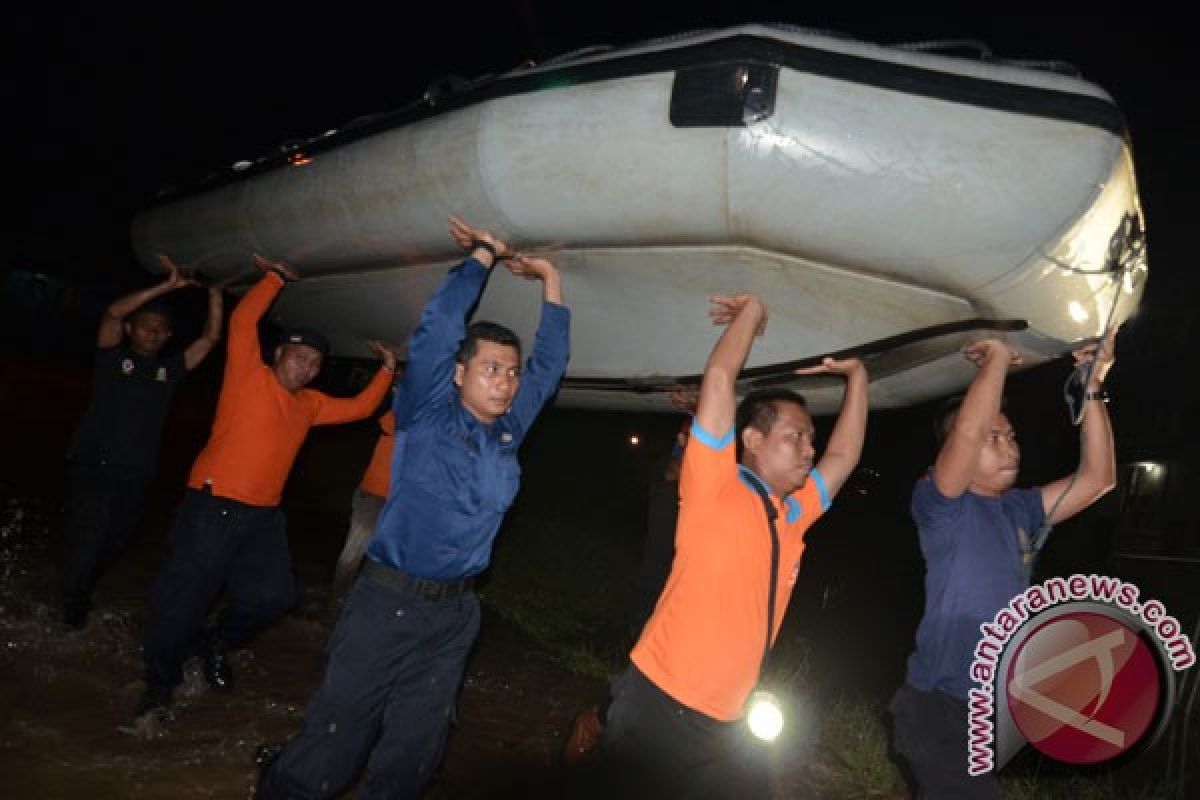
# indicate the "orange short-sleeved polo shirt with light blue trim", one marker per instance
pixel 705 641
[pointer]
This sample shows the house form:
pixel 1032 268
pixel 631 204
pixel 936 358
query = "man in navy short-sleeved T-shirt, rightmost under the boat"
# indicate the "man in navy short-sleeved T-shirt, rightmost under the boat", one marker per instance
pixel 977 536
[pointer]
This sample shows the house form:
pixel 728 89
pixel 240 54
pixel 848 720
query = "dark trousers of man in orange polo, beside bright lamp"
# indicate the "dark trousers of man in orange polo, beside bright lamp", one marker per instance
pixel 657 748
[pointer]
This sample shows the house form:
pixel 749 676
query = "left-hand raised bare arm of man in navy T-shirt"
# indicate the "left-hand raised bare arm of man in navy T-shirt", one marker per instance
pixel 959 459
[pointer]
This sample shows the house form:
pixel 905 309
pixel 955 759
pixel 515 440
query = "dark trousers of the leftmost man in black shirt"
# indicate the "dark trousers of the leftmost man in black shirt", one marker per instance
pixel 104 512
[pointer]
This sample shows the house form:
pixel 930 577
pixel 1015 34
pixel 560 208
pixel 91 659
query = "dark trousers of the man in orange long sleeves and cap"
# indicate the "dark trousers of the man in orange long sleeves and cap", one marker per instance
pixel 217 544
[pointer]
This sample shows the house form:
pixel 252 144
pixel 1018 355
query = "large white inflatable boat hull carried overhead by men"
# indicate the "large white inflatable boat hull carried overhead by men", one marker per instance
pixel 862 214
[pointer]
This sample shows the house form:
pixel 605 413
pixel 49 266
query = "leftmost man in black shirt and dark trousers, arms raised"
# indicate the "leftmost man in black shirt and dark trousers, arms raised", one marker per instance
pixel 116 448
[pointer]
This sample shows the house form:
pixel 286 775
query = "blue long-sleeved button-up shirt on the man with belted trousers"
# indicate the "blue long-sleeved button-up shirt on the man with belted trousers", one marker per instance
pixel 453 477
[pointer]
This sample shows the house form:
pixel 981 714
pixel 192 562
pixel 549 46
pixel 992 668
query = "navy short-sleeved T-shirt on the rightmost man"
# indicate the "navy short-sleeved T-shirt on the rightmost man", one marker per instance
pixel 974 568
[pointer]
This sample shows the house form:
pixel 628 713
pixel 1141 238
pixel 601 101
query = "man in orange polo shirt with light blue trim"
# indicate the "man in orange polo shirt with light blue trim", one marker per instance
pixel 673 729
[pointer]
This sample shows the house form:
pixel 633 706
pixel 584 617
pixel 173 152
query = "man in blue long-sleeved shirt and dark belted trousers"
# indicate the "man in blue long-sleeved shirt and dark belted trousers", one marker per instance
pixel 398 654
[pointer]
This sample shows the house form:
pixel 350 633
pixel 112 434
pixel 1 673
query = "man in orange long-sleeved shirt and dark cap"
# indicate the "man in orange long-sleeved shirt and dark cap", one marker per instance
pixel 230 531
